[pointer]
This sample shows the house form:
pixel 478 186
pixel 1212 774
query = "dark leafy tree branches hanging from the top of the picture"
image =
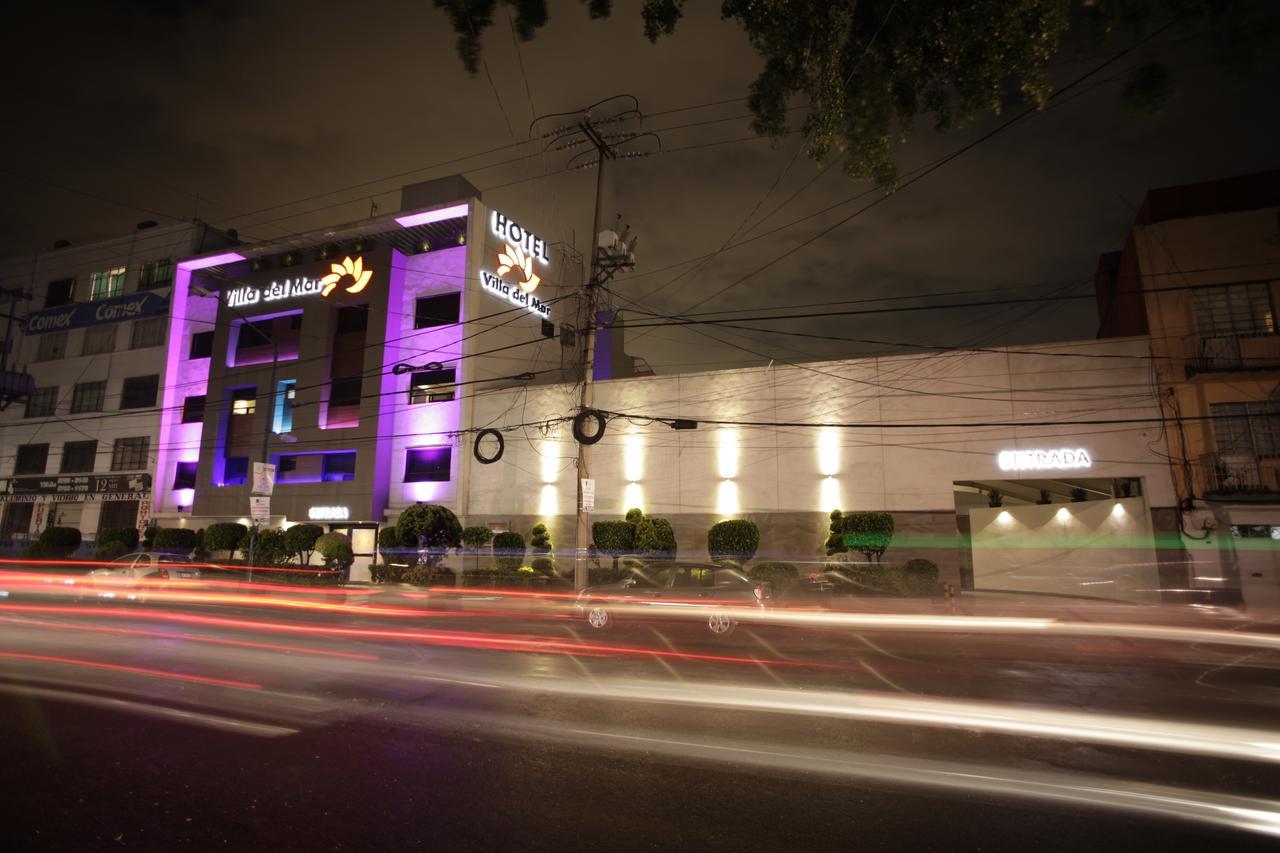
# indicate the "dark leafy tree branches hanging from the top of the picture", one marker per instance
pixel 865 70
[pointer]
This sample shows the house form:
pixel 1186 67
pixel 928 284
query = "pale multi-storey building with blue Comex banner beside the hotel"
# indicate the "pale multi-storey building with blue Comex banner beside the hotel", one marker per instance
pixel 80 451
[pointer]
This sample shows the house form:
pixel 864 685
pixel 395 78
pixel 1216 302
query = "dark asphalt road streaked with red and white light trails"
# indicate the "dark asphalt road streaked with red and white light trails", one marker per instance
pixel 263 720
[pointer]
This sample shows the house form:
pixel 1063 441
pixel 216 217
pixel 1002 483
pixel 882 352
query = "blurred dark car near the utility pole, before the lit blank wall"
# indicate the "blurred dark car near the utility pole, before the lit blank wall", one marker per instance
pixel 674 592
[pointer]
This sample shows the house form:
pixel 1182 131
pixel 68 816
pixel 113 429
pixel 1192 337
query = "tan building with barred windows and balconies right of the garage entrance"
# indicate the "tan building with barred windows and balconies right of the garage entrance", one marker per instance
pixel 1200 272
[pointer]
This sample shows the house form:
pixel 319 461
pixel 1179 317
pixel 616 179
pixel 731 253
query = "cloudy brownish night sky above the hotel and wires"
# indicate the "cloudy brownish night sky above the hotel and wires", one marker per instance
pixel 231 111
